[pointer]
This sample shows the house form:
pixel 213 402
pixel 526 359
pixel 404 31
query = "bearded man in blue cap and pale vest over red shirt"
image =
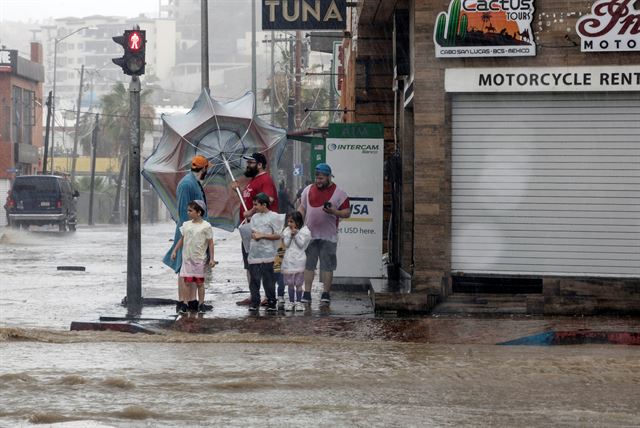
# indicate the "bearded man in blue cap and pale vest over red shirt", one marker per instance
pixel 322 204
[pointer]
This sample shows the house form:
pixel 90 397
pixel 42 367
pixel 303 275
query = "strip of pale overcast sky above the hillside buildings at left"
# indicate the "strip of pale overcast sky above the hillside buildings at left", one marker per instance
pixel 38 10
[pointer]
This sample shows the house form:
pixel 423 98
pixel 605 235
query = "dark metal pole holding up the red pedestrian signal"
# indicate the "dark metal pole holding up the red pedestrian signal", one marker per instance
pixel 134 274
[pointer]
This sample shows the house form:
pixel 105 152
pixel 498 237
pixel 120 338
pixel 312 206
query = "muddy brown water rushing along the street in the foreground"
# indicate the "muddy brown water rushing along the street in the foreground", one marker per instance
pixel 245 379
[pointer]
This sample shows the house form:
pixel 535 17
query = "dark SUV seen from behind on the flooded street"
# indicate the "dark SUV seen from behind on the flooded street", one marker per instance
pixel 42 199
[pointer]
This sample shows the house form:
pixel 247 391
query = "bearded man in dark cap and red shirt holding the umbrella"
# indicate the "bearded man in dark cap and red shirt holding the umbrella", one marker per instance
pixel 261 182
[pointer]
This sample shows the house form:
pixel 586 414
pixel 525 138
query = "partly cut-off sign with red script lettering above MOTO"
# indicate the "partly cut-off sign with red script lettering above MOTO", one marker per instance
pixel 612 26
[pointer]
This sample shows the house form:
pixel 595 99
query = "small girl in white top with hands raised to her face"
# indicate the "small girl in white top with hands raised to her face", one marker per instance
pixel 296 237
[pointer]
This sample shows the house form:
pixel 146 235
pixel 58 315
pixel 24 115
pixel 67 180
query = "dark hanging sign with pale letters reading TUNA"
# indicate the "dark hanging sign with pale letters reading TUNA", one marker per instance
pixel 304 14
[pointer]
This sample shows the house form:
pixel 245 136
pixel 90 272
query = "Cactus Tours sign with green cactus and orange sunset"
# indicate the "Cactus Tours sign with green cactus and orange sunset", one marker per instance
pixel 485 28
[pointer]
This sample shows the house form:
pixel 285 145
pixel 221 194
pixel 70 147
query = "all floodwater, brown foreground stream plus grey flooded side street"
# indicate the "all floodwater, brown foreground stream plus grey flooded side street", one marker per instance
pixel 52 377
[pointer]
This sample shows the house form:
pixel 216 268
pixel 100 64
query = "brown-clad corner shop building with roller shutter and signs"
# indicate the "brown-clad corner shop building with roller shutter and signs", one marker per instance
pixel 513 143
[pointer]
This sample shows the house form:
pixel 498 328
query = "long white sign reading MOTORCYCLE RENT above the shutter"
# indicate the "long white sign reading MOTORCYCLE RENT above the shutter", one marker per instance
pixel 543 79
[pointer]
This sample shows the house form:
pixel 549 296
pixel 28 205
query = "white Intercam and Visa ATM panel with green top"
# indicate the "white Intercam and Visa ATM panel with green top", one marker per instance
pixel 360 236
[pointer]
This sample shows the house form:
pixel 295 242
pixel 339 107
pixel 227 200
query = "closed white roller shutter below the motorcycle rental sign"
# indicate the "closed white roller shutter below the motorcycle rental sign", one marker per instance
pixel 546 183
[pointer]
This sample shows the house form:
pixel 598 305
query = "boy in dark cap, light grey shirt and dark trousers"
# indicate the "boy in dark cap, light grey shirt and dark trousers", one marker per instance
pixel 266 227
